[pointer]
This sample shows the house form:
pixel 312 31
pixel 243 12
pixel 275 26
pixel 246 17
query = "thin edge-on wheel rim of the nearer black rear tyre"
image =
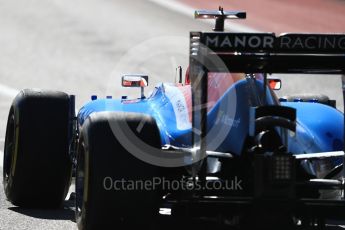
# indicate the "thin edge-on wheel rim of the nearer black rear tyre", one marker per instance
pixel 79 183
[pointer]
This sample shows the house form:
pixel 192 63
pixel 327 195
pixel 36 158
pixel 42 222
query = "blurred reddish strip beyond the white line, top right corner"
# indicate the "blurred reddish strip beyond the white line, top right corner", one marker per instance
pixel 307 16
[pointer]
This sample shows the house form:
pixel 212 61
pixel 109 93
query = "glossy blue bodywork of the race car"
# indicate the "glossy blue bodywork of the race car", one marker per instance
pixel 319 128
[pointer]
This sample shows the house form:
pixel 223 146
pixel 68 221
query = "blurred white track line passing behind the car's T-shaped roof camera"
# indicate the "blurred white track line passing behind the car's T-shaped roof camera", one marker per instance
pixel 189 12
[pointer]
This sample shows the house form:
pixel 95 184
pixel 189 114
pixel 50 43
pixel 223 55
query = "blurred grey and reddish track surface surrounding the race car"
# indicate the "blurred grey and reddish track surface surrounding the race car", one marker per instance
pixel 83 47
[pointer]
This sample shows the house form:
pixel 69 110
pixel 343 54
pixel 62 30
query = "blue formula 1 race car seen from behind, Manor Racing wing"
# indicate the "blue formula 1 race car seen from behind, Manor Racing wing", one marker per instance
pixel 223 147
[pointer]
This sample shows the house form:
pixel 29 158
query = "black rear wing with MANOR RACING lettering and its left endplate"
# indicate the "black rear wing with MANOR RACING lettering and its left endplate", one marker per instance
pixel 257 53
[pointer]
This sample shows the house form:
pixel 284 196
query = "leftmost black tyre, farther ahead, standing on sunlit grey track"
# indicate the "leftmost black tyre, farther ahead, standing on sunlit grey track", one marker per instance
pixel 37 167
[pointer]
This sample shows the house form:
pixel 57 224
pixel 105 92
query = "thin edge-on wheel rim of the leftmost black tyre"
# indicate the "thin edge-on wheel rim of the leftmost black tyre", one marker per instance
pixel 9 149
